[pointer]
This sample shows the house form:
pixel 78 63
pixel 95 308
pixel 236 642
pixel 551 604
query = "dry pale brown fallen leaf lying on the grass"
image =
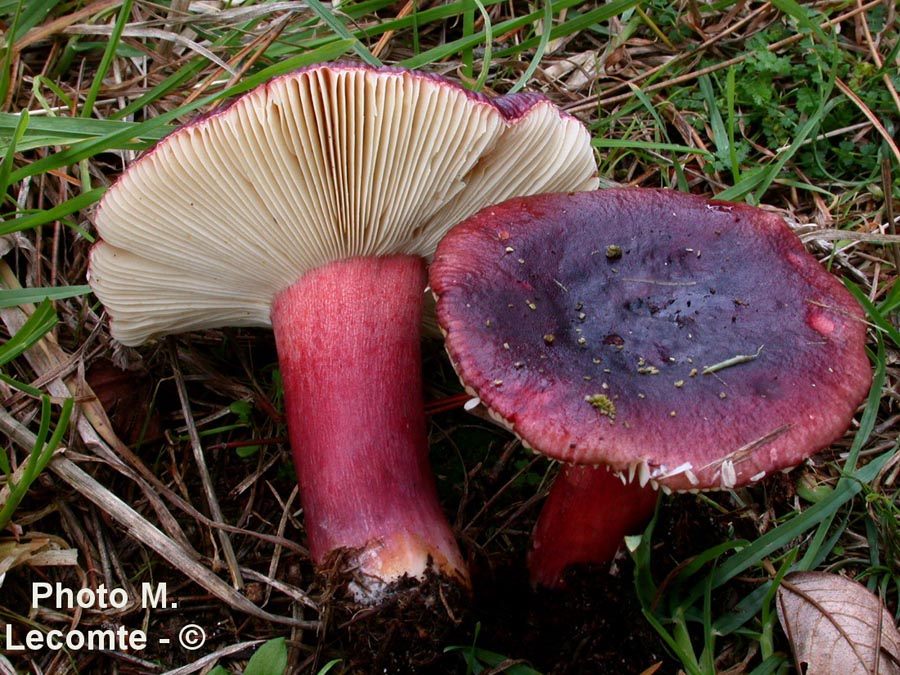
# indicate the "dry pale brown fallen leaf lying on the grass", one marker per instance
pixel 835 625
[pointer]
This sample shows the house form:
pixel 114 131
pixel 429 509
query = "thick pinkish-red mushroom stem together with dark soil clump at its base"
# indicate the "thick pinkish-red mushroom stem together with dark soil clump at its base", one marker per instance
pixel 348 339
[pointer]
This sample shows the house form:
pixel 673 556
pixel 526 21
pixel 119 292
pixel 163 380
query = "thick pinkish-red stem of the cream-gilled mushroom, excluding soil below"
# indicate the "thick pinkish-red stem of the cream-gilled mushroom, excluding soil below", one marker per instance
pixel 348 337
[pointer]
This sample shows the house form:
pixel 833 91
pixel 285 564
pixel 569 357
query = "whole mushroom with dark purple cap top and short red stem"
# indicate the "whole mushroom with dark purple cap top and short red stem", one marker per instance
pixel 681 343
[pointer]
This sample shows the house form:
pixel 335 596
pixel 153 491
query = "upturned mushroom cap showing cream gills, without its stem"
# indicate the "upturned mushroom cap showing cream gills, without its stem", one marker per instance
pixel 326 163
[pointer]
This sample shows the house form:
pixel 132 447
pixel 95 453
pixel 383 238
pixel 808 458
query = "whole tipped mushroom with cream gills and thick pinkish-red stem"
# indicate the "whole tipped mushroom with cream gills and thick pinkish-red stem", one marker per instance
pixel 309 205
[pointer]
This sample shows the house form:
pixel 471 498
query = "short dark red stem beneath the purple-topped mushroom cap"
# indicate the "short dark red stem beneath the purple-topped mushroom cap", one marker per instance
pixel 587 513
